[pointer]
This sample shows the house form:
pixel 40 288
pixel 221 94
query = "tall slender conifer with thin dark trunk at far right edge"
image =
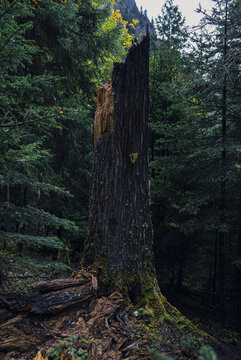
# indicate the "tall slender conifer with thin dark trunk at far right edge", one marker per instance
pixel 220 55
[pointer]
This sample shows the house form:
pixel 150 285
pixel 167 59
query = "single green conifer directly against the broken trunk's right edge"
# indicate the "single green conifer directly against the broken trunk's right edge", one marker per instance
pixel 173 127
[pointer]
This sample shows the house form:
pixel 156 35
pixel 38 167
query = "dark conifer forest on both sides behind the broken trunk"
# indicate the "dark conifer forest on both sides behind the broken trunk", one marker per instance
pixel 53 56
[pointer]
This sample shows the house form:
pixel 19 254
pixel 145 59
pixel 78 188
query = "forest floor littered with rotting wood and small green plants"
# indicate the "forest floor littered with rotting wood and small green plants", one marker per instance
pixel 70 319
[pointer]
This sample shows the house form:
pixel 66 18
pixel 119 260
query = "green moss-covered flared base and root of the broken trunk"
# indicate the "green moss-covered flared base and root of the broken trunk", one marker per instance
pixel 143 295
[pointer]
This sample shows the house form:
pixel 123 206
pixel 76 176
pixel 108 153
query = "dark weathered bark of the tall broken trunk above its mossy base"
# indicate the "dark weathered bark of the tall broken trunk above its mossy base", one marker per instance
pixel 120 229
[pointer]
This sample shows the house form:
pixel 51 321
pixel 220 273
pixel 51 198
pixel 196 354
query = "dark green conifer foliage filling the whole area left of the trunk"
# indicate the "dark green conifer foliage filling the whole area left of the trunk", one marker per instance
pixel 52 58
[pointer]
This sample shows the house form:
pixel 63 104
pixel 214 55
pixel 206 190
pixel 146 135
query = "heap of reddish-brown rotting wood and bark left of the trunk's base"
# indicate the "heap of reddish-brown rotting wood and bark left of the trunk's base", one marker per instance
pixel 30 325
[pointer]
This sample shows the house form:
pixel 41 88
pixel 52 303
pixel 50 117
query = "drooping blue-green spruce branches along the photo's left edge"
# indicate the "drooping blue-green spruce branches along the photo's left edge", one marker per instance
pixel 26 123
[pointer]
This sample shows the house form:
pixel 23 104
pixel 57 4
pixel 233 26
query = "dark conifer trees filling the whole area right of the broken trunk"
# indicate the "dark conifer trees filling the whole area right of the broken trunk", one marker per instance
pixel 195 153
